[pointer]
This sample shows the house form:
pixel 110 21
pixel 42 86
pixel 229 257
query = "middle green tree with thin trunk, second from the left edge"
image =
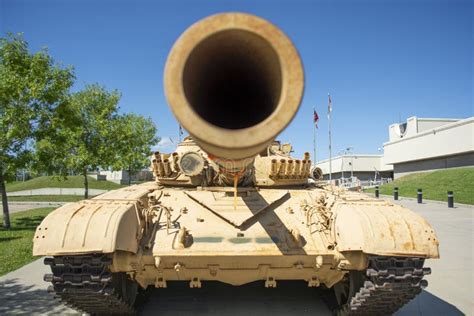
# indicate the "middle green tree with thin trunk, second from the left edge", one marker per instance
pixel 82 135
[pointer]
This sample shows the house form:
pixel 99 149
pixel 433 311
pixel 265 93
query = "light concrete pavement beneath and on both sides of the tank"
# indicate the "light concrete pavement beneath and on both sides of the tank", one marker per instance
pixel 449 291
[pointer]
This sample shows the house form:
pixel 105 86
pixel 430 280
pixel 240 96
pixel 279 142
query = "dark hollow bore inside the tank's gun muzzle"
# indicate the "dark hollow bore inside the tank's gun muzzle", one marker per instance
pixel 232 79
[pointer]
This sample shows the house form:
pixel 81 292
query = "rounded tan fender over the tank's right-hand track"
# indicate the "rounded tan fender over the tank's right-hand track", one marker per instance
pixel 382 228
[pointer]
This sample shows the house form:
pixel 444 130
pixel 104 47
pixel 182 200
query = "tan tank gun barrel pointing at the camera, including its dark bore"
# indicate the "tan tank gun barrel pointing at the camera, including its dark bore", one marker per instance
pixel 234 81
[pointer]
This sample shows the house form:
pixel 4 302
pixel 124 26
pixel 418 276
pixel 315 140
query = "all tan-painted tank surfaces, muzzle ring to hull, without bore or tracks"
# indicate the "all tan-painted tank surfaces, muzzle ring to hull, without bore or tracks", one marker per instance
pixel 178 228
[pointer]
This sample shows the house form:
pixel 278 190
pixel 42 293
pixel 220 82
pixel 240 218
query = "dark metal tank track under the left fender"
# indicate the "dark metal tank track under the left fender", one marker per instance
pixel 85 283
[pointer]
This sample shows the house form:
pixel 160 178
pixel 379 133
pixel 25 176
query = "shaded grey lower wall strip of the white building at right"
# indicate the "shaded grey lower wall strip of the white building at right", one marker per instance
pixel 461 160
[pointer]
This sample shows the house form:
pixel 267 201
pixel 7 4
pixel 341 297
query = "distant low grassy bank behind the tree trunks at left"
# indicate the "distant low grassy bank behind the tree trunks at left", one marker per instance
pixel 70 182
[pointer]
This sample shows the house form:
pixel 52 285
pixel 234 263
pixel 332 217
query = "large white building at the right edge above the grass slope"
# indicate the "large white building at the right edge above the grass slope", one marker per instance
pixel 427 144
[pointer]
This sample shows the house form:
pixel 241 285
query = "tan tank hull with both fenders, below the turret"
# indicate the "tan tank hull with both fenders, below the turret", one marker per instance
pixel 315 234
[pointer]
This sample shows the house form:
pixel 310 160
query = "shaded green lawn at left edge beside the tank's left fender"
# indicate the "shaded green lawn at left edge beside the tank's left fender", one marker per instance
pixel 16 244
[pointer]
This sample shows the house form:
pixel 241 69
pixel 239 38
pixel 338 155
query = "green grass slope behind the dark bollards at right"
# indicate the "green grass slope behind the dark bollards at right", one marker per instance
pixel 435 185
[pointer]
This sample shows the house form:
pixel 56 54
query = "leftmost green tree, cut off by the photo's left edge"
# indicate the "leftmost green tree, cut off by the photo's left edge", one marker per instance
pixel 32 88
